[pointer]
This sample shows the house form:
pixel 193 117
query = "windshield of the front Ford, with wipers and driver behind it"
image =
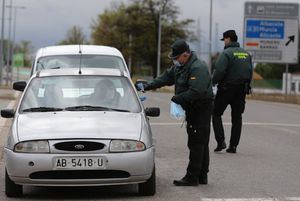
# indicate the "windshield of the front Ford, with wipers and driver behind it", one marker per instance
pixel 80 93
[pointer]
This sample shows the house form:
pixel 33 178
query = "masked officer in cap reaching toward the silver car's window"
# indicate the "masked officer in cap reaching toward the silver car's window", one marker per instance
pixel 193 91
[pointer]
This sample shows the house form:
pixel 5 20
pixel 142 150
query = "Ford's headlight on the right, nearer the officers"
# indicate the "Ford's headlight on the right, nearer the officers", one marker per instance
pixel 126 146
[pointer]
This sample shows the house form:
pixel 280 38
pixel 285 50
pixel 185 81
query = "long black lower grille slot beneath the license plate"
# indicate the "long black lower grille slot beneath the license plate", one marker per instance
pixel 79 174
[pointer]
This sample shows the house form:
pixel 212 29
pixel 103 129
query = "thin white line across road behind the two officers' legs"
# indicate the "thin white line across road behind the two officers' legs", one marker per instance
pixel 228 123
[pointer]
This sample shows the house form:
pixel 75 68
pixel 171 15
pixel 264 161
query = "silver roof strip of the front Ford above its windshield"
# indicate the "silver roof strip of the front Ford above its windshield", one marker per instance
pixel 84 71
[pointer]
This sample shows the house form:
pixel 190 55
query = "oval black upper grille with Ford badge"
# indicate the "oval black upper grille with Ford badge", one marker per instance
pixel 79 146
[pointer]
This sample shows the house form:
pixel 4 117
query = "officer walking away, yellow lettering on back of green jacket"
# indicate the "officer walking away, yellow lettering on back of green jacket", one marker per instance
pixel 233 74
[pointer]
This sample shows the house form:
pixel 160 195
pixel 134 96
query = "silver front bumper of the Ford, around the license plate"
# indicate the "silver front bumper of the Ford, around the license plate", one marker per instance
pixel 138 165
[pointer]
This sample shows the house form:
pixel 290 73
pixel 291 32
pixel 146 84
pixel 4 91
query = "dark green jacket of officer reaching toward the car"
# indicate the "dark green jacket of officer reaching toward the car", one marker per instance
pixel 192 81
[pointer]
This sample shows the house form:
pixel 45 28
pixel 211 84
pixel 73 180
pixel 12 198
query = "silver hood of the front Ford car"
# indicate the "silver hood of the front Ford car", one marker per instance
pixel 66 125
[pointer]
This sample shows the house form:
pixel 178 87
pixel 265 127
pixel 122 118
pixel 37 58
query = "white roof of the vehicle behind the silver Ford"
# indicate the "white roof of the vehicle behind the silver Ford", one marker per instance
pixel 74 49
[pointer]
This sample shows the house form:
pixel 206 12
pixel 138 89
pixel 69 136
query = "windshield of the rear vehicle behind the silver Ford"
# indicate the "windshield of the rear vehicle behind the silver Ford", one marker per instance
pixel 73 61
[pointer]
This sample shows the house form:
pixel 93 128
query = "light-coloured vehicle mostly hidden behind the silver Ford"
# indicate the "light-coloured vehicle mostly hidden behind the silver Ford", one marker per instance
pixel 73 56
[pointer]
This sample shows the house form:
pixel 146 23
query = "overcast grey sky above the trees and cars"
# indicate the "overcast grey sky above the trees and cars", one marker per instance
pixel 45 22
